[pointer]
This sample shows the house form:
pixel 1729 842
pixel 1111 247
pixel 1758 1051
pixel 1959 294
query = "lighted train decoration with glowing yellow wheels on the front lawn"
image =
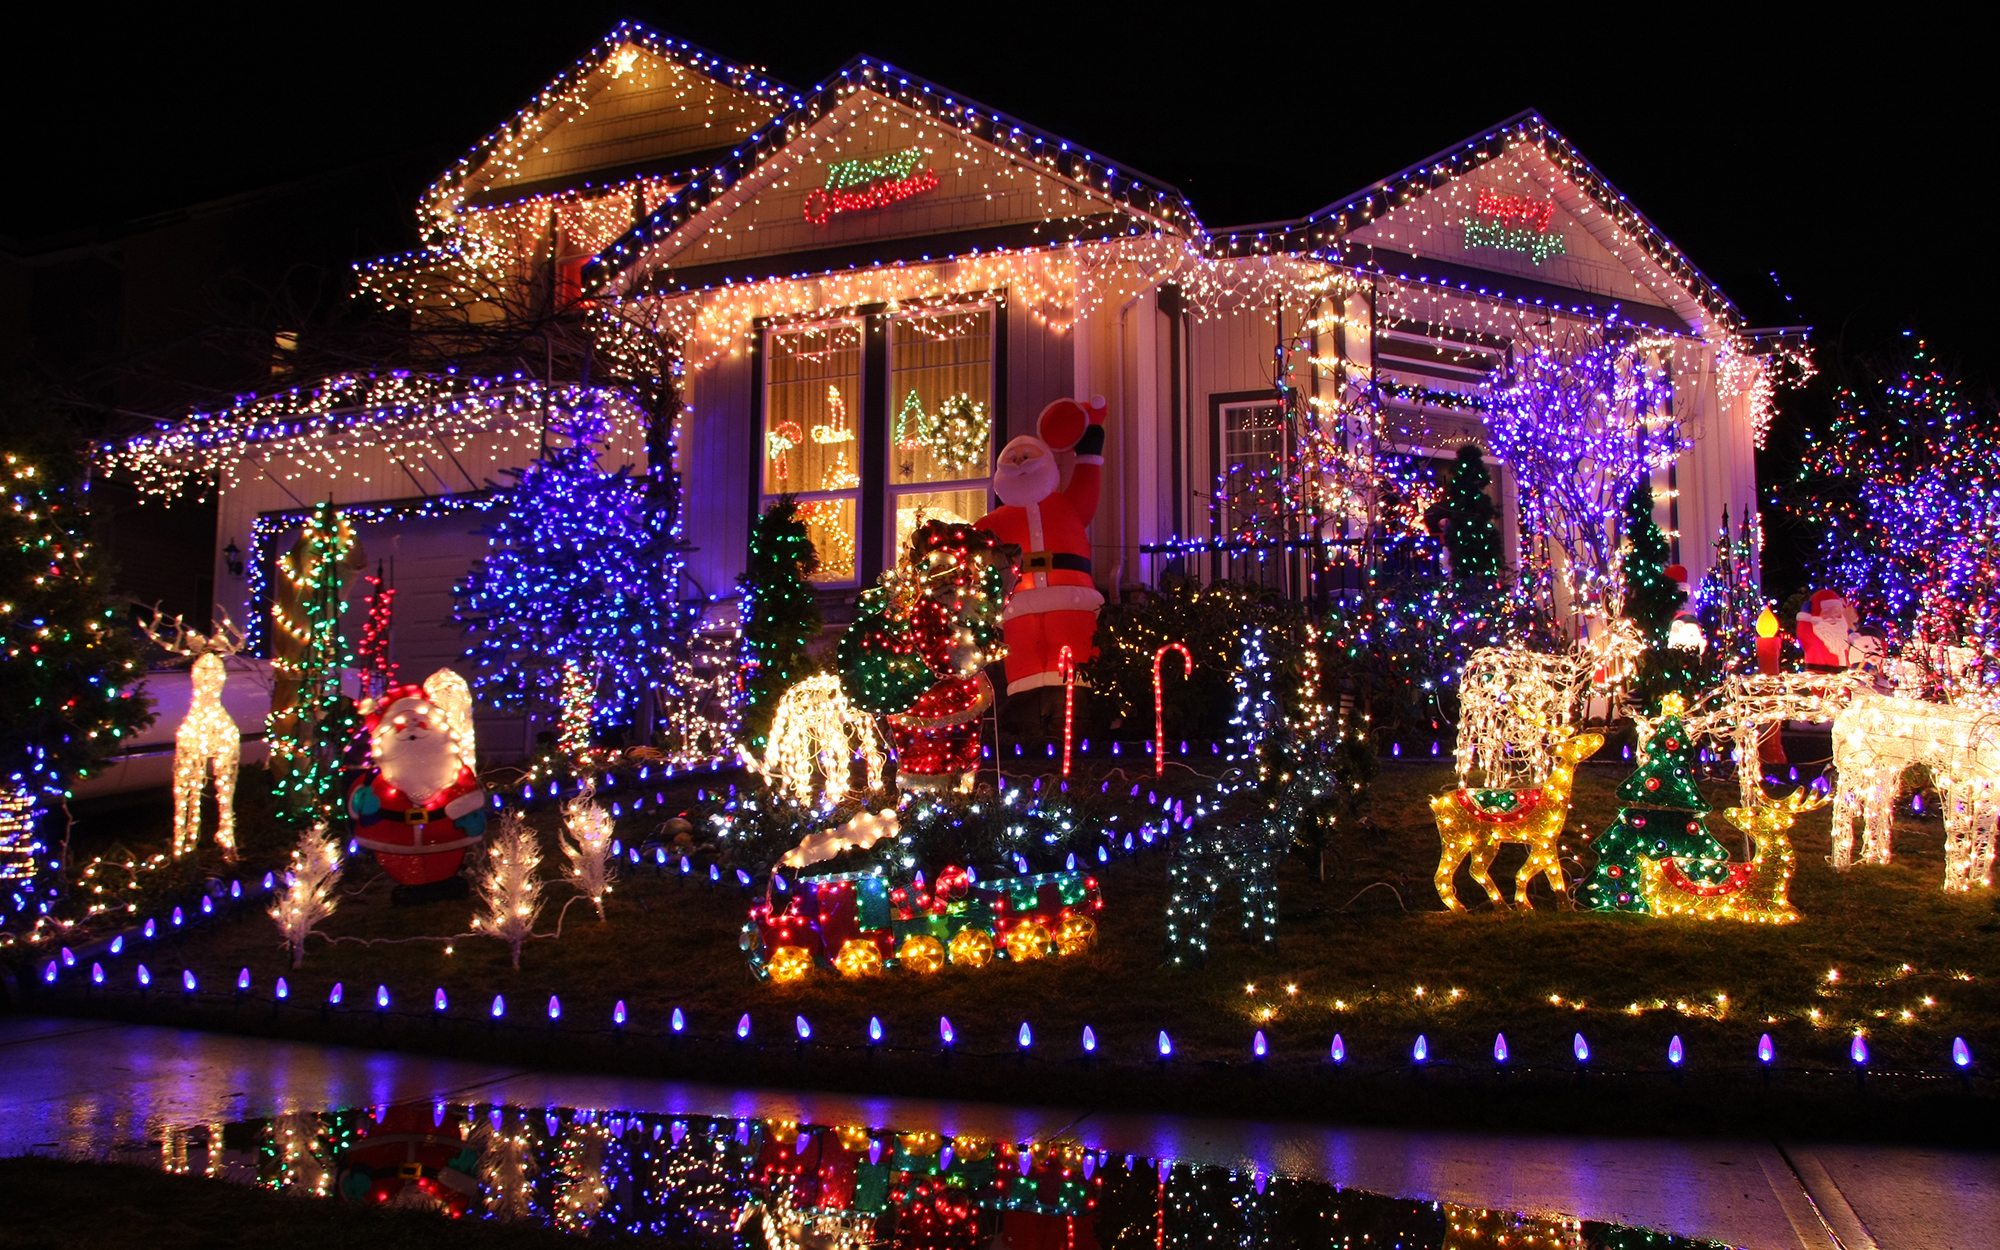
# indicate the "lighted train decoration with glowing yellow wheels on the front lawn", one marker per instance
pixel 859 925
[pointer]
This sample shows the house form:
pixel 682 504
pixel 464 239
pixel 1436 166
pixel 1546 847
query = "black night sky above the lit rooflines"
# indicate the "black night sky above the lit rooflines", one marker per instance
pixel 1849 161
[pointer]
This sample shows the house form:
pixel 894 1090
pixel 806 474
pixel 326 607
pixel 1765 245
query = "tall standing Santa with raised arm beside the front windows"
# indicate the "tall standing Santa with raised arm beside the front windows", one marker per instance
pixel 1055 603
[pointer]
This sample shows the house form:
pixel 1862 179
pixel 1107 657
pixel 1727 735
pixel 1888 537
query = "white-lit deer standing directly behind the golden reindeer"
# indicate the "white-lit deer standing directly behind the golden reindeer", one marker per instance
pixel 1517 709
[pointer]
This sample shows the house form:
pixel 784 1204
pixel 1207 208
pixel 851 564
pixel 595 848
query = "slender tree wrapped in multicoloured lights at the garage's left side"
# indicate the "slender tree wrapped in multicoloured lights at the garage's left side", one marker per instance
pixel 311 723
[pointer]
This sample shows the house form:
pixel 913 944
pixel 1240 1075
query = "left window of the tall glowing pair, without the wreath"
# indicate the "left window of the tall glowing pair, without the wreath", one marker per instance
pixel 813 435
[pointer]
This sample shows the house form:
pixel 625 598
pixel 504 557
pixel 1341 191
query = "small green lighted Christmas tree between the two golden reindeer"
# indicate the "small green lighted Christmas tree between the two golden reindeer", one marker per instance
pixel 1661 817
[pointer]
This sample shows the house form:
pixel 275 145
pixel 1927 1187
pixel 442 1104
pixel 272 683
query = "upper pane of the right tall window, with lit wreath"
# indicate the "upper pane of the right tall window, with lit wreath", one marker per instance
pixel 941 397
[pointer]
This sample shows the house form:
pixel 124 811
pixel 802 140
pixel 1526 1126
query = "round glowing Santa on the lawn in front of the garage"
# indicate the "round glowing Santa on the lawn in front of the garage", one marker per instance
pixel 419 807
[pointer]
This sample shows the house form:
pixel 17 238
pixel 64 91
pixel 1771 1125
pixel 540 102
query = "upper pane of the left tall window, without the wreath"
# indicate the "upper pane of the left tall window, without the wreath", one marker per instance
pixel 813 411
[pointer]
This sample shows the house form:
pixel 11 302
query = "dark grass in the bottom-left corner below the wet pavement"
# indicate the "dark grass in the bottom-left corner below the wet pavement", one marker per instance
pixel 63 1205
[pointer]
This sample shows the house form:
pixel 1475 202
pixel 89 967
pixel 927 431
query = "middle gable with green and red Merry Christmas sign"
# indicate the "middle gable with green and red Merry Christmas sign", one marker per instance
pixel 875 169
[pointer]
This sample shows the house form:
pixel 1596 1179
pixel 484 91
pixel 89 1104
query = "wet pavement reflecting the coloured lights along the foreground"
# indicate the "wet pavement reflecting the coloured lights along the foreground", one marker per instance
pixel 139 1093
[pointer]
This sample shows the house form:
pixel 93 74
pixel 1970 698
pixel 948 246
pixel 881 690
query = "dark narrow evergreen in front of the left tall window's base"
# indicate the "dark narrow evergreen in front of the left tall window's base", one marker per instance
pixel 779 613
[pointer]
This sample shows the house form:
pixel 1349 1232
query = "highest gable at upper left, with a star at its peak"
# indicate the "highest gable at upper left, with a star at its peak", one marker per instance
pixel 635 109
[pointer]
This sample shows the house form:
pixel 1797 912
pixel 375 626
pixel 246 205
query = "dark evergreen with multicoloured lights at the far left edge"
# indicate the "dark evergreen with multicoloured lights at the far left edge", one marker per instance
pixel 69 669
